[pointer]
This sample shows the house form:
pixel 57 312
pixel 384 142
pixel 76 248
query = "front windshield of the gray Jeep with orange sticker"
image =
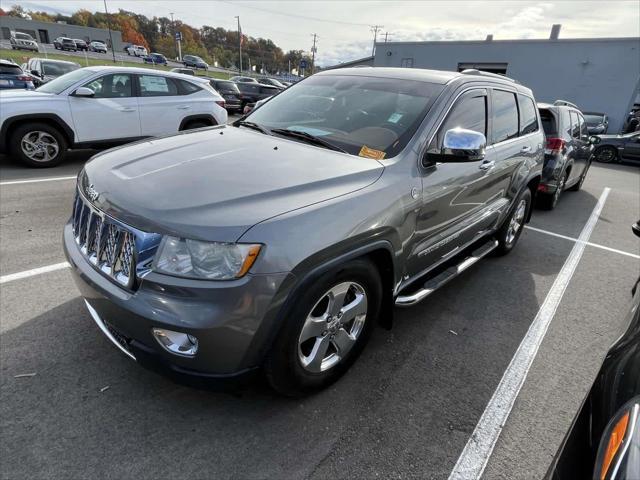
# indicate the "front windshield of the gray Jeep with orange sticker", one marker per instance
pixel 366 116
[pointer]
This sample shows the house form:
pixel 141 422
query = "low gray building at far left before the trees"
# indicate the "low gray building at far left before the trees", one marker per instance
pixel 41 30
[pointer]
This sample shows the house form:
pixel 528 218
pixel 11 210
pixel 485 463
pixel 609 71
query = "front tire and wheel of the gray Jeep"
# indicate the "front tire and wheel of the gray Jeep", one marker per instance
pixel 292 368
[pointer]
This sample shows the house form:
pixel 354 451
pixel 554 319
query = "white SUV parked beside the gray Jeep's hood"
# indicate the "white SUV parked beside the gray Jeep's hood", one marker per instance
pixel 103 106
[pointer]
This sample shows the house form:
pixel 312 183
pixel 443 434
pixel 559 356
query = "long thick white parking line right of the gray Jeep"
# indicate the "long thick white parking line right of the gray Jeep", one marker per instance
pixel 479 447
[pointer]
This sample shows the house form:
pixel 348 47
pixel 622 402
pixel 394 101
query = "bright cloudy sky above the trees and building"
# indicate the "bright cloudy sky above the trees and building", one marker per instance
pixel 343 26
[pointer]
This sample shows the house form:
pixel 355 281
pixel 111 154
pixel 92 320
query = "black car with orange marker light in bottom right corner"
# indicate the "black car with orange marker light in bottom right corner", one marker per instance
pixel 604 439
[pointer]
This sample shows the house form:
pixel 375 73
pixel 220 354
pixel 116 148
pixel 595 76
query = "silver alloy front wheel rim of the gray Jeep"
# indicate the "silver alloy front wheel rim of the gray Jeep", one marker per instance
pixel 332 327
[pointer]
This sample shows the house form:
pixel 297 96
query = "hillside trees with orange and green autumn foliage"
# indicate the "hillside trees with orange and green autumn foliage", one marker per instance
pixel 215 45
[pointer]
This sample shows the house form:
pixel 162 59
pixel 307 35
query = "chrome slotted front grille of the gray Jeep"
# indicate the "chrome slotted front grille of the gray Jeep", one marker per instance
pixel 108 245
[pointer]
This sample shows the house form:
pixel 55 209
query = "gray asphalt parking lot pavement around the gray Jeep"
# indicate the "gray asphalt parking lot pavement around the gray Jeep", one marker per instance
pixel 405 410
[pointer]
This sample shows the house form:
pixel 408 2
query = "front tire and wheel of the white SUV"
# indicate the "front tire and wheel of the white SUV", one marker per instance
pixel 48 140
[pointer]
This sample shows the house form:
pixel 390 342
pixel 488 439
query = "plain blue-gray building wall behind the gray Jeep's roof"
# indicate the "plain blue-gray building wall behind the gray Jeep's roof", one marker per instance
pixel 599 75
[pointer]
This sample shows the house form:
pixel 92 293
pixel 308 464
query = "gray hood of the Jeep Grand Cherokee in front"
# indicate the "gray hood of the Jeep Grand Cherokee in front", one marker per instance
pixel 216 183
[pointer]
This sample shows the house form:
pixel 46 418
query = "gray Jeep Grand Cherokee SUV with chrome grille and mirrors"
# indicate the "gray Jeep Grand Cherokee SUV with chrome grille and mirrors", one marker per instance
pixel 279 241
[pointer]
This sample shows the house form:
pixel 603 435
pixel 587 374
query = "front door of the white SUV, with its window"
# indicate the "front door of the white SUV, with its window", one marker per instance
pixel 111 114
